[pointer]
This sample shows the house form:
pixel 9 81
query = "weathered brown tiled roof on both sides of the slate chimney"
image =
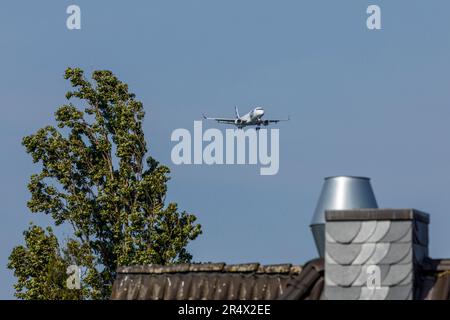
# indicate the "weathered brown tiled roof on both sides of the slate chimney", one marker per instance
pixel 251 281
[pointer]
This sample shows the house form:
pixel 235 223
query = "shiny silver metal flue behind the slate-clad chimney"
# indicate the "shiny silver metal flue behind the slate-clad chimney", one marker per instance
pixel 338 193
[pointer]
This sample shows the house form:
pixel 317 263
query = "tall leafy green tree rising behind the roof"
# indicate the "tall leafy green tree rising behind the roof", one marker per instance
pixel 95 177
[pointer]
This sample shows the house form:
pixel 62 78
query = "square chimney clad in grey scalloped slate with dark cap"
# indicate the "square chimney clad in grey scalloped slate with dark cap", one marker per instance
pixel 374 254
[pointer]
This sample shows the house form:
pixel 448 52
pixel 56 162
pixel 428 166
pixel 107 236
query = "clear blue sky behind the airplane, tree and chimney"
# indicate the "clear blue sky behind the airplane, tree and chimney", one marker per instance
pixel 371 103
